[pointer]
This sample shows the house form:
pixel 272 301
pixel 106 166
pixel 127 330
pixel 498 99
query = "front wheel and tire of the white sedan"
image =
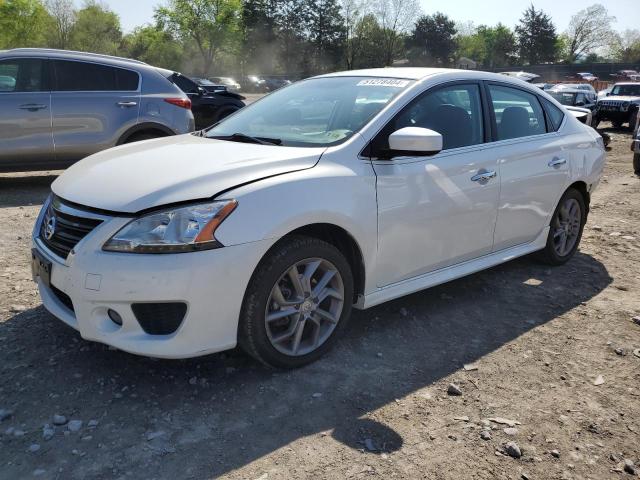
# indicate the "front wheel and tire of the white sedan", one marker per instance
pixel 297 303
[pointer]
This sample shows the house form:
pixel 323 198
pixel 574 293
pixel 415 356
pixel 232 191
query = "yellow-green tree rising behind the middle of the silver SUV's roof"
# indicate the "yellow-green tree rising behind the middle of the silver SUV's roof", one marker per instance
pixel 97 29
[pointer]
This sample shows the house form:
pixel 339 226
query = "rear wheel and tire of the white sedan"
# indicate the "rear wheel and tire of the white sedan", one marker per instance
pixel 567 225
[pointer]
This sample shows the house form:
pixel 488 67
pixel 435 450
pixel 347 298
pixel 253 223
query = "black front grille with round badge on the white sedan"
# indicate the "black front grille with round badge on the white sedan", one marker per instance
pixel 60 231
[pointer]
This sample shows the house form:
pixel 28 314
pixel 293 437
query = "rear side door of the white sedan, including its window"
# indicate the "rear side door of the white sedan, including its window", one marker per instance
pixel 534 164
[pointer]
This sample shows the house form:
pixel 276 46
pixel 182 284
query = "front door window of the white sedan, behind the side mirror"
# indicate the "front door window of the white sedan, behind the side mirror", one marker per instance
pixel 454 111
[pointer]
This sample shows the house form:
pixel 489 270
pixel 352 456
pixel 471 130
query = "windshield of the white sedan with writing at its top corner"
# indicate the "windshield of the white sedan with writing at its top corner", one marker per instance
pixel 315 112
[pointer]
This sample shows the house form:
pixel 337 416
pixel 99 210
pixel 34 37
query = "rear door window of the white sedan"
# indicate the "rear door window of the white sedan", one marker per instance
pixel 517 113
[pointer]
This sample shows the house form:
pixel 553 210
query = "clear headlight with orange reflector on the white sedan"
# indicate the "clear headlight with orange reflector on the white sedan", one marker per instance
pixel 184 229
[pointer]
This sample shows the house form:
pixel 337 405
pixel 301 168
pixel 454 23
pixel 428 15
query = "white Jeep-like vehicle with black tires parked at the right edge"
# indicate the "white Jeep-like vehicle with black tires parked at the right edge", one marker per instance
pixel 620 106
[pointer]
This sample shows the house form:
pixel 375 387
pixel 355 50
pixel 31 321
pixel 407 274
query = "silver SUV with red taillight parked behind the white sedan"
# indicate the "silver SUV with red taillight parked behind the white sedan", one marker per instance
pixel 57 107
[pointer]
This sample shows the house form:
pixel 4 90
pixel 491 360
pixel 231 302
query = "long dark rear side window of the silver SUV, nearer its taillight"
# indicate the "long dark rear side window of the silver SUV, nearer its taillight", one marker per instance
pixel 91 77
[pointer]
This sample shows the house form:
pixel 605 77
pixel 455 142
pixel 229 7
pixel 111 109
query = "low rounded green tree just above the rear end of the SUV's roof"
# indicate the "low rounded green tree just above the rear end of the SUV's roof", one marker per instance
pixel 154 46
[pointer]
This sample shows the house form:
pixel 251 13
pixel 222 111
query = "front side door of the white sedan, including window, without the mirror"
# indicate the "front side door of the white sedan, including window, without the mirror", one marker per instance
pixel 436 211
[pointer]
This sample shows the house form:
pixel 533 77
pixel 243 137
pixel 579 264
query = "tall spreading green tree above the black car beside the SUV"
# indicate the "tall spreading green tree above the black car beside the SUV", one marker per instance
pixel 214 25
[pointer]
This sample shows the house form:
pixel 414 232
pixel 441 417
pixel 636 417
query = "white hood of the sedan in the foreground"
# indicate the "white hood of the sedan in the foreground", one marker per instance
pixel 148 174
